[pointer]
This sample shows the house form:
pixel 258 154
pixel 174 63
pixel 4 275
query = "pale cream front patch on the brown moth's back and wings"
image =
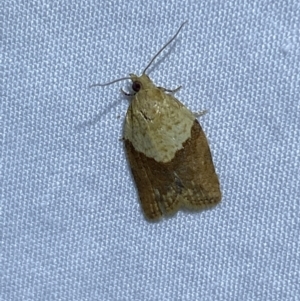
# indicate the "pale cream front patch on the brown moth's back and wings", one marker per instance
pixel 157 124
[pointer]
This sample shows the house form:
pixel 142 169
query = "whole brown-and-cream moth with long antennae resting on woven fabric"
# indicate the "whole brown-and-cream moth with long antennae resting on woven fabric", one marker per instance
pixel 167 150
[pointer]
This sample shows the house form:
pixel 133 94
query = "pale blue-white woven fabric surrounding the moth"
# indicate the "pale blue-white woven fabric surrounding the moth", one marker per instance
pixel 72 227
